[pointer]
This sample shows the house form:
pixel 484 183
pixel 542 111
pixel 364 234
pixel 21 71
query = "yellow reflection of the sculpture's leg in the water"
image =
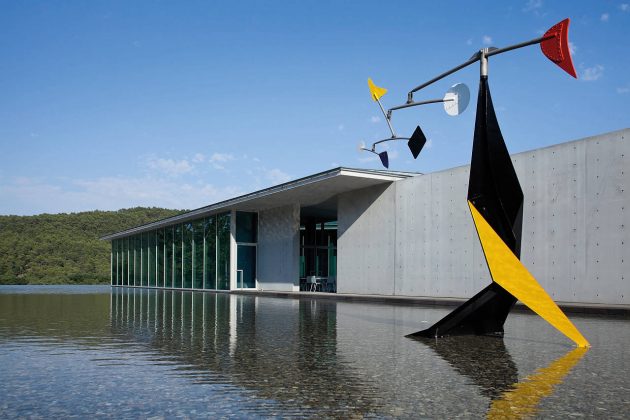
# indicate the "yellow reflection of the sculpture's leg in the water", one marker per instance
pixel 523 399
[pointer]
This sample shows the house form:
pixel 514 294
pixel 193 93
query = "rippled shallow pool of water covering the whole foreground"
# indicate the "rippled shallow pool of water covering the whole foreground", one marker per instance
pixel 131 353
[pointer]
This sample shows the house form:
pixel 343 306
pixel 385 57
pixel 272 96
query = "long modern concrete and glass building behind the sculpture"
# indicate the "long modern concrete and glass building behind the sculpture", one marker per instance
pixel 369 232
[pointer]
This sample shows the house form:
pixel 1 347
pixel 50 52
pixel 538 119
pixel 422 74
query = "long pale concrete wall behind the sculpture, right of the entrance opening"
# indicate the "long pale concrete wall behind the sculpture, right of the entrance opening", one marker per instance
pixel 416 237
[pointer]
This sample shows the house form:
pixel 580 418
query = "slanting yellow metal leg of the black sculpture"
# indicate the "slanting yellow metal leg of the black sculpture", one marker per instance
pixel 512 275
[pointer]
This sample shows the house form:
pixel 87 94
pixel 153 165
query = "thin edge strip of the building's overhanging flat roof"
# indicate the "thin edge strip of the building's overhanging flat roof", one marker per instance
pixel 224 205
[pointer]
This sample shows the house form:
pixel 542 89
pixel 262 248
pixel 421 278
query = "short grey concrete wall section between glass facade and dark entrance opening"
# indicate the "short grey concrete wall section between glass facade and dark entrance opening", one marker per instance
pixel 278 248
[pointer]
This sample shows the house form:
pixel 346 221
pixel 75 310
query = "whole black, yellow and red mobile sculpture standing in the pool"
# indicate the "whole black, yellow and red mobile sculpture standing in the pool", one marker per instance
pixel 495 200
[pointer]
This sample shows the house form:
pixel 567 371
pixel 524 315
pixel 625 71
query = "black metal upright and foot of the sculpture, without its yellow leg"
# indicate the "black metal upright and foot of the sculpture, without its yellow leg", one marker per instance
pixel 493 189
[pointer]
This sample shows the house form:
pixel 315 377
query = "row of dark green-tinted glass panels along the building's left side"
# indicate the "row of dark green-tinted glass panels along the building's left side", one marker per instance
pixel 190 255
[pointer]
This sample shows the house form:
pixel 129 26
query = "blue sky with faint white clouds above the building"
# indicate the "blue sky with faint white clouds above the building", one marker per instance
pixel 108 105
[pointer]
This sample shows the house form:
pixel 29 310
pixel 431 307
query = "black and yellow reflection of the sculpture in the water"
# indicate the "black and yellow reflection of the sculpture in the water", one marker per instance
pixel 487 362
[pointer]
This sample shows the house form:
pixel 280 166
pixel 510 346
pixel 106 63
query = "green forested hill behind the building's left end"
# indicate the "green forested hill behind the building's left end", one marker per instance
pixel 65 248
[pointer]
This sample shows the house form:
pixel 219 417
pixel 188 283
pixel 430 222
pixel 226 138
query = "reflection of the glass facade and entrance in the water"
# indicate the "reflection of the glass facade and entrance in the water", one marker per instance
pixel 279 349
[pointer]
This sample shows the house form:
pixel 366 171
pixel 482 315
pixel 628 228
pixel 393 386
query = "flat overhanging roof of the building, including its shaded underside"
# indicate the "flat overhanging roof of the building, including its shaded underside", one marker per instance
pixel 308 191
